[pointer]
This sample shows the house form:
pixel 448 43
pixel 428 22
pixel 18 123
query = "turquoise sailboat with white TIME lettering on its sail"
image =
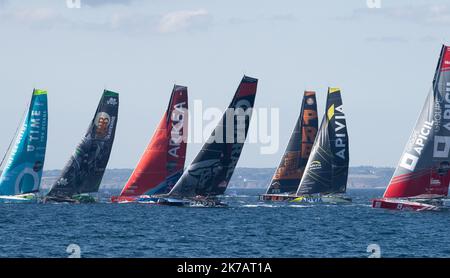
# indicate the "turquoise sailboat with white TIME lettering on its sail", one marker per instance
pixel 22 165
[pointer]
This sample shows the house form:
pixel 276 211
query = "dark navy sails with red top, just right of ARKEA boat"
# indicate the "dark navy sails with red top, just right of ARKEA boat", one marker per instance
pixel 211 170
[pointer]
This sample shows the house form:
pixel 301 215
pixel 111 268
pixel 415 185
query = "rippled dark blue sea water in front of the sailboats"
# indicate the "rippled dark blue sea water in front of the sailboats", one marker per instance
pixel 247 228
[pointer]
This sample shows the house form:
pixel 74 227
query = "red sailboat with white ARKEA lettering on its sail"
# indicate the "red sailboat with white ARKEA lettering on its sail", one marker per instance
pixel 162 163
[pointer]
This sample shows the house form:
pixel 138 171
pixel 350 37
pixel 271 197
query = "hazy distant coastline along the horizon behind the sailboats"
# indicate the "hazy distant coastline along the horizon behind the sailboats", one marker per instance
pixel 257 178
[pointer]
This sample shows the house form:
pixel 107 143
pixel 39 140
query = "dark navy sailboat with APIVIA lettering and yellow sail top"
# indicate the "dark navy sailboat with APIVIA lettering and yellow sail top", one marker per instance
pixel 325 178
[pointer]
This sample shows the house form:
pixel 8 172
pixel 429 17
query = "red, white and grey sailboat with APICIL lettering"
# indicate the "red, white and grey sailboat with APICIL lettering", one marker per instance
pixel 421 179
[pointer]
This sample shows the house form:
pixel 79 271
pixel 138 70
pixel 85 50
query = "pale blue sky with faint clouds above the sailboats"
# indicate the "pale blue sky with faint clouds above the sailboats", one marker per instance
pixel 382 58
